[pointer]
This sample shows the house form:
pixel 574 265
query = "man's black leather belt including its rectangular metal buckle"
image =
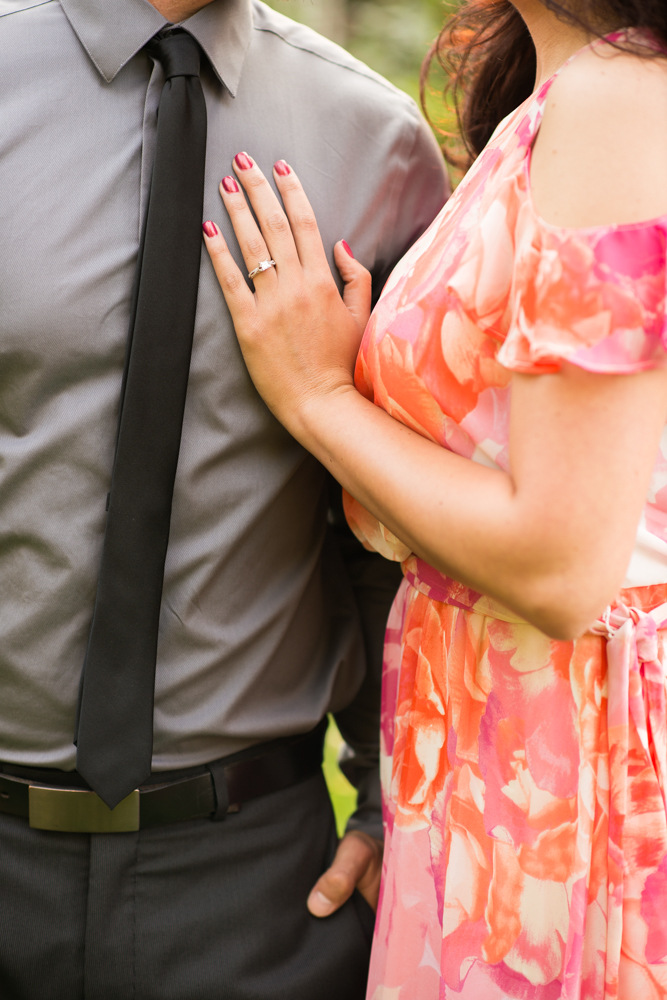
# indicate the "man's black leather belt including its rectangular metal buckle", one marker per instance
pixel 210 791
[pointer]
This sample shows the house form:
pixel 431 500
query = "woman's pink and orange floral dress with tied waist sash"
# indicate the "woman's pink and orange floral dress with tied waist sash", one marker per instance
pixel 524 778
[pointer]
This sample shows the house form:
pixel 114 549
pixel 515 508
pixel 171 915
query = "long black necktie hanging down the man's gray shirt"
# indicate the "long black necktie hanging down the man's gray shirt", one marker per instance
pixel 114 731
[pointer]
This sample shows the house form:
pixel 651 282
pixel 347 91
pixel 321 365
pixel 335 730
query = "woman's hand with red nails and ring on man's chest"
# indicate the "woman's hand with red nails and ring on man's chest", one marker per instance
pixel 298 337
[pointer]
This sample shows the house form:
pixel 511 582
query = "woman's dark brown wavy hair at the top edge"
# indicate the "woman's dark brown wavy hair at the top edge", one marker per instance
pixel 488 57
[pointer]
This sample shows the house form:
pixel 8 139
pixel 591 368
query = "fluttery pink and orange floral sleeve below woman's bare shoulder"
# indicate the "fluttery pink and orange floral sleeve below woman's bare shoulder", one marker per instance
pixel 593 297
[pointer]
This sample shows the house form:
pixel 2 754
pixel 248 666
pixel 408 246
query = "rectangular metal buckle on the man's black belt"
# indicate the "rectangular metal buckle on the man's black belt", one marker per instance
pixel 74 810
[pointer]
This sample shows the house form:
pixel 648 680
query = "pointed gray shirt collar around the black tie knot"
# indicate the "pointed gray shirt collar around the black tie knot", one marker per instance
pixel 113 32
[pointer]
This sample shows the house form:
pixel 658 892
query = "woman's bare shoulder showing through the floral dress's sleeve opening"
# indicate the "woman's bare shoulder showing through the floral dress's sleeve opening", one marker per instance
pixel 600 155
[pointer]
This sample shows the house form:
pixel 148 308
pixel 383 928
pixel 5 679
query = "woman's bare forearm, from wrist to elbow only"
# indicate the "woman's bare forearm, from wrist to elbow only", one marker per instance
pixel 461 517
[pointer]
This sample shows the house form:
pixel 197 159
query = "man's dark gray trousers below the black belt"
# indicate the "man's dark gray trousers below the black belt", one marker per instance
pixel 190 911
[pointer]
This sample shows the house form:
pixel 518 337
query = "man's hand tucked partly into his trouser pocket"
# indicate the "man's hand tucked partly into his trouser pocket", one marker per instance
pixel 357 865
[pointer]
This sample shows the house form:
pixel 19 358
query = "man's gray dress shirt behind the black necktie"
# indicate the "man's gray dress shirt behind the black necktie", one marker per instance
pixel 258 634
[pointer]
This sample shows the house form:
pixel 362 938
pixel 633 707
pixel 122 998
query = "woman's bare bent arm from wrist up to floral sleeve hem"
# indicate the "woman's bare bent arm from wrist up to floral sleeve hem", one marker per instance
pixel 536 538
